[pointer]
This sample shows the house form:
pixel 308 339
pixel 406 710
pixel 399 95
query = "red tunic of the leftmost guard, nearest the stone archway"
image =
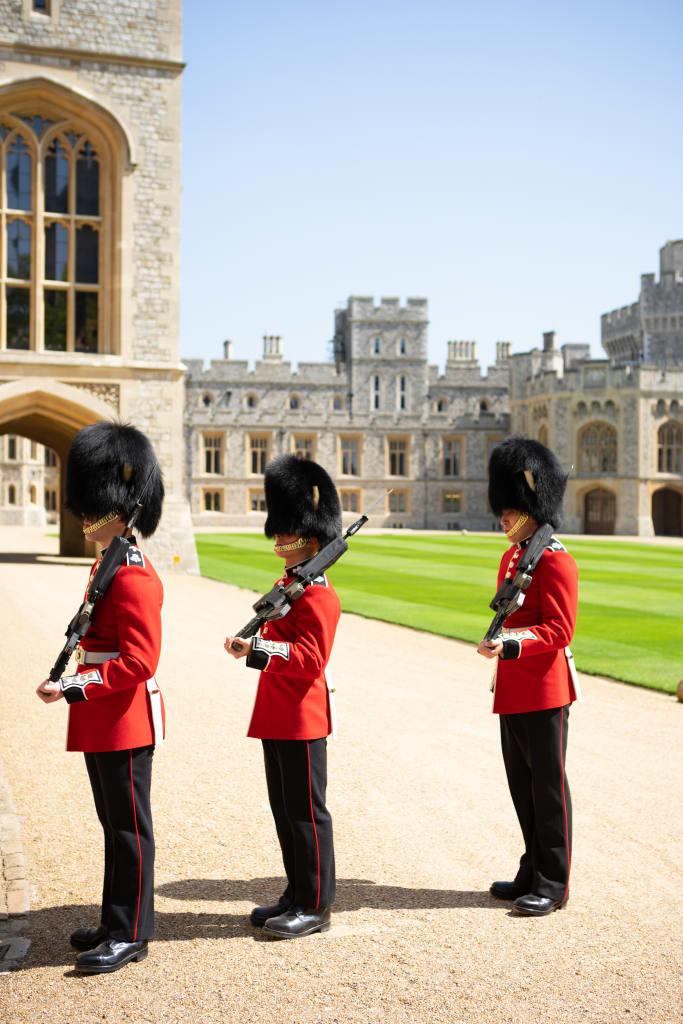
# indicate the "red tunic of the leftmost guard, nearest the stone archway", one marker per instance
pixel 116 713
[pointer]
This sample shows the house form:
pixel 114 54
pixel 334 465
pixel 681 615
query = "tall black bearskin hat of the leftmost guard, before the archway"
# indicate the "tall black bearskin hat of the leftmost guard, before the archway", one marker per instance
pixel 108 466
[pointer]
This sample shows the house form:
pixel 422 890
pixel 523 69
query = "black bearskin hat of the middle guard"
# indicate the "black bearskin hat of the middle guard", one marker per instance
pixel 302 499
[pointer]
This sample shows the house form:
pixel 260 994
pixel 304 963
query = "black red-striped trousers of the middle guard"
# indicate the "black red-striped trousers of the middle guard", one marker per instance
pixel 296 773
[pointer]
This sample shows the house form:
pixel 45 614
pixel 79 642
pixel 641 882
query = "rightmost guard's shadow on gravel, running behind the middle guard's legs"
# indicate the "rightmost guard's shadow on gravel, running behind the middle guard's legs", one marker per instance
pixel 353 894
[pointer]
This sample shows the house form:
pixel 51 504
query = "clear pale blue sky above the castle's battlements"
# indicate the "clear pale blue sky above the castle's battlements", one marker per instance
pixel 520 165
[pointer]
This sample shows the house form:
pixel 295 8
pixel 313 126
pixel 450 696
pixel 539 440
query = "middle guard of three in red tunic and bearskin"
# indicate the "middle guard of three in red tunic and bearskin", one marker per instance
pixel 292 715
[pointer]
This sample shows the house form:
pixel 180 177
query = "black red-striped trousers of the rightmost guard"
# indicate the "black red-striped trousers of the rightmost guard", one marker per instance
pixel 535 750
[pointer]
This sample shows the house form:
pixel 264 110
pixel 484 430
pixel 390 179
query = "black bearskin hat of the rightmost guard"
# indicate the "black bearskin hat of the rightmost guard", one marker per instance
pixel 525 475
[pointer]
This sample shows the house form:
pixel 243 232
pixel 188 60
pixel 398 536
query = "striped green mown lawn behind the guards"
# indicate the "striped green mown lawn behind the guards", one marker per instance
pixel 630 605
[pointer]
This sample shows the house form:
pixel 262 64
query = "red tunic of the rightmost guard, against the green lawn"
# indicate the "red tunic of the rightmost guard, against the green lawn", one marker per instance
pixel 540 678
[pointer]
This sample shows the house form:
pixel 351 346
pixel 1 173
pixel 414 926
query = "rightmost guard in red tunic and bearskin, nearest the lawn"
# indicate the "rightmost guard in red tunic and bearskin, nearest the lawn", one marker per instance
pixel 535 680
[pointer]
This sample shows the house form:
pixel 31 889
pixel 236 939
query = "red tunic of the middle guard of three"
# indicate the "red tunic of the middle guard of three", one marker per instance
pixel 292 697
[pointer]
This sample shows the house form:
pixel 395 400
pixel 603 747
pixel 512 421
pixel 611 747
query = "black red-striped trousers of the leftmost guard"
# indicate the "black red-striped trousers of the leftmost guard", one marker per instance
pixel 121 782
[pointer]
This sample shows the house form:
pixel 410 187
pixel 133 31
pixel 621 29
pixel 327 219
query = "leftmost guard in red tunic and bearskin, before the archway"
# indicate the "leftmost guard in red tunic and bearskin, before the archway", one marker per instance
pixel 116 713
